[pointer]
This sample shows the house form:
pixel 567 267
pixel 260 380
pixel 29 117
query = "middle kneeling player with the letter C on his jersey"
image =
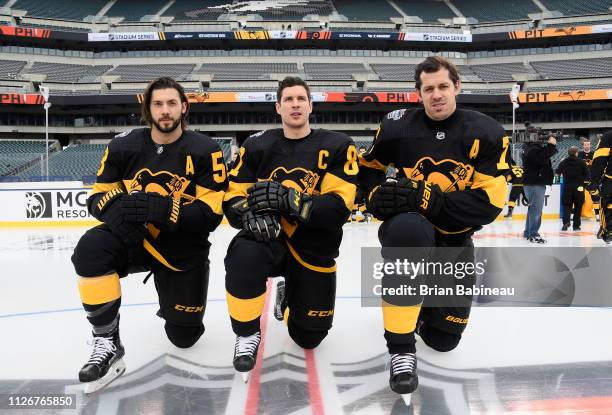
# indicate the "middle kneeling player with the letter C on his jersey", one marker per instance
pixel 291 189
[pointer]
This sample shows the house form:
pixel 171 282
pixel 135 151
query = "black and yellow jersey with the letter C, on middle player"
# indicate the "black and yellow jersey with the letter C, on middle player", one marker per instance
pixel 323 164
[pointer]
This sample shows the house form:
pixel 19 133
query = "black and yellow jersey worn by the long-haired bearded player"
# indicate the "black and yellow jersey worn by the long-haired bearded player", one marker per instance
pixel 191 169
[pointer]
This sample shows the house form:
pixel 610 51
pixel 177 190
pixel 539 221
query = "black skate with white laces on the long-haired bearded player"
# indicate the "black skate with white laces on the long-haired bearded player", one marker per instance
pixel 105 364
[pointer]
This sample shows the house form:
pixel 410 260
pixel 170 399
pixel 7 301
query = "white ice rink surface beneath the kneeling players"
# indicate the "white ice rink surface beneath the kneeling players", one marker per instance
pixel 511 360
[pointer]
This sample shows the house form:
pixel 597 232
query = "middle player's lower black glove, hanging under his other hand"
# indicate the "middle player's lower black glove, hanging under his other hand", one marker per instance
pixel 263 226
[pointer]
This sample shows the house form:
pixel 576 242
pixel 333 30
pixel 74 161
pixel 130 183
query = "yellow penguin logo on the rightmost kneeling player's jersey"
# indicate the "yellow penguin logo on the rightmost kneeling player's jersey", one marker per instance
pixel 449 174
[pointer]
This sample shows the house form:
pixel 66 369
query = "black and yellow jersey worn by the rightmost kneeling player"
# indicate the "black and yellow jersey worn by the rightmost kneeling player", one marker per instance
pixel 467 155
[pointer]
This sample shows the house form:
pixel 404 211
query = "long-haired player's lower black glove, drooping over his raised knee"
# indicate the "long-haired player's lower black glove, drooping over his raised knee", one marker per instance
pixel 108 210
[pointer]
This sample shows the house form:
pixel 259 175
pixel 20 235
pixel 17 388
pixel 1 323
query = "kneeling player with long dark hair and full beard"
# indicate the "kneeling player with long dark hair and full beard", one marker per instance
pixel 159 193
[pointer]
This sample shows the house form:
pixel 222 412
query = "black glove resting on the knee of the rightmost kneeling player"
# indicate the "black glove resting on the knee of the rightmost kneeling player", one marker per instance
pixel 406 195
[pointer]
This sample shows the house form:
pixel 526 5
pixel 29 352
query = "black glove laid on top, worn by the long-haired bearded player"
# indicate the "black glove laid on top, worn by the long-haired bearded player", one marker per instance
pixel 144 207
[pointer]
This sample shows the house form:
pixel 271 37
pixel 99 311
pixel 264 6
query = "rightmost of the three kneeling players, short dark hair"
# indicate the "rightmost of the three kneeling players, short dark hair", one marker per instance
pixel 451 181
